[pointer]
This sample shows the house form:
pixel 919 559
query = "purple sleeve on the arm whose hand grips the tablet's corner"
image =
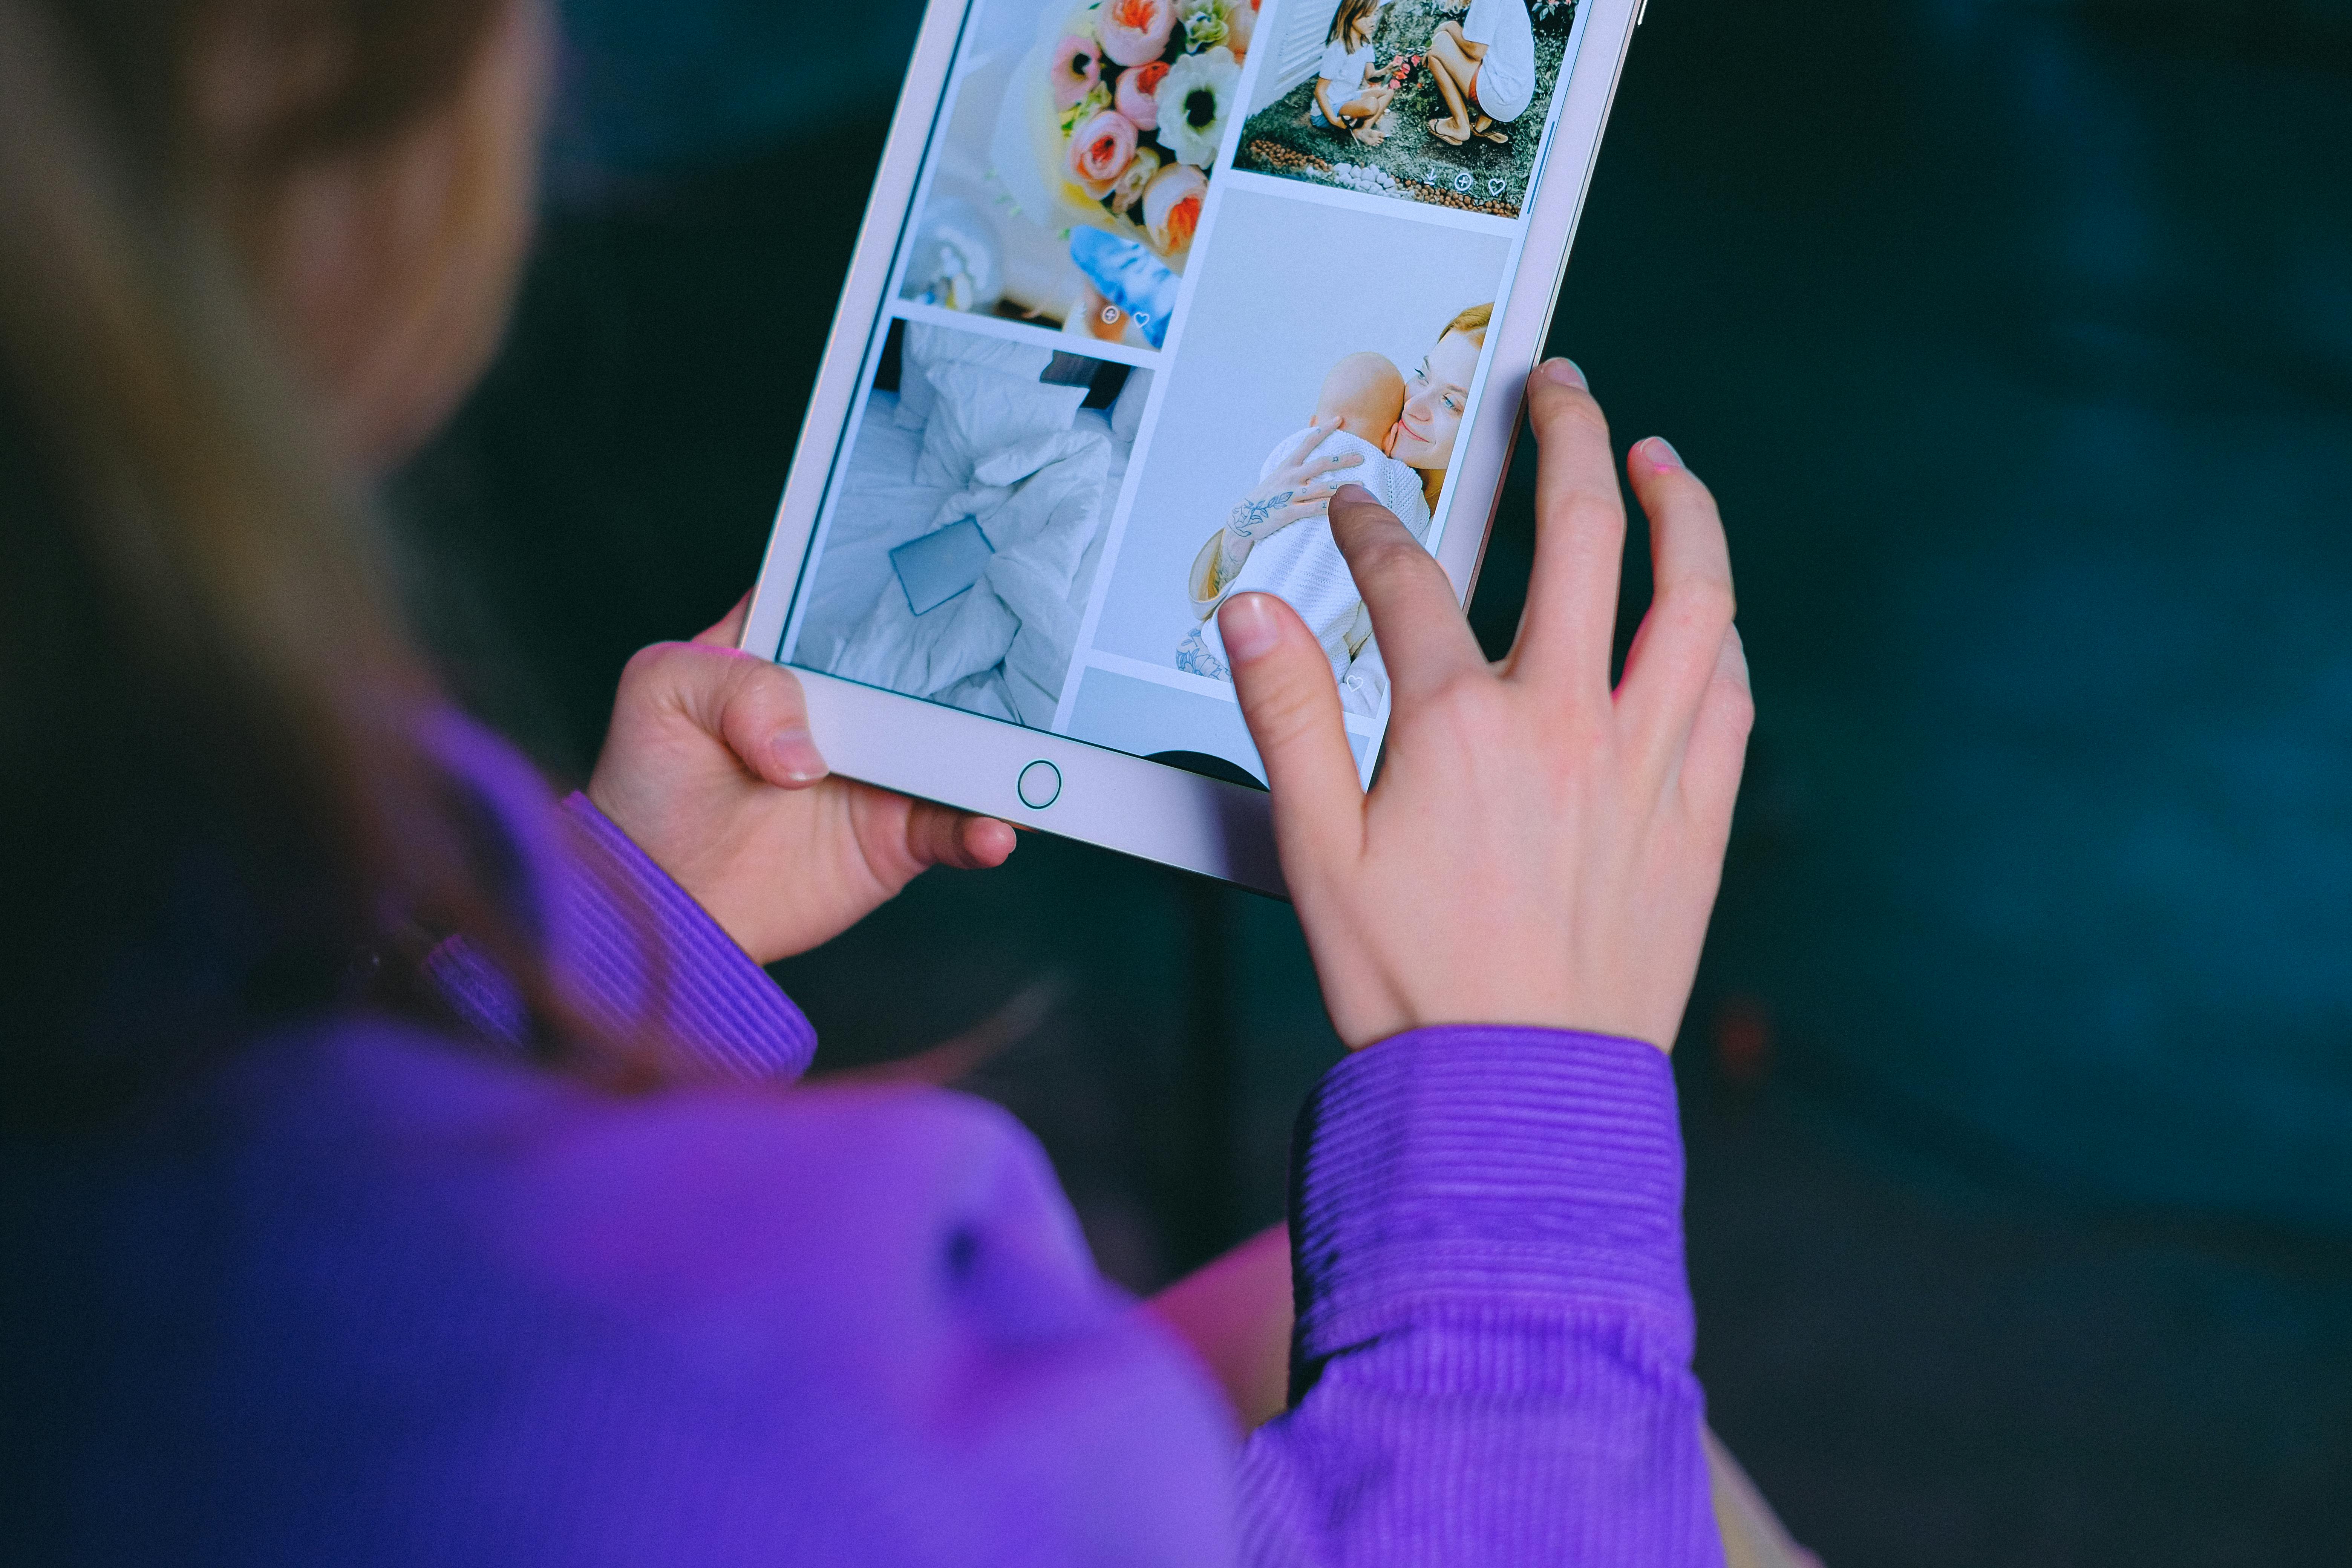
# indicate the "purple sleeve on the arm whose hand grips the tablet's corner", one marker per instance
pixel 632 946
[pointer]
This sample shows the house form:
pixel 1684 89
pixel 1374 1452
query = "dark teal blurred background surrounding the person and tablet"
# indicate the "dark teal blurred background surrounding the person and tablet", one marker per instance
pixel 2017 340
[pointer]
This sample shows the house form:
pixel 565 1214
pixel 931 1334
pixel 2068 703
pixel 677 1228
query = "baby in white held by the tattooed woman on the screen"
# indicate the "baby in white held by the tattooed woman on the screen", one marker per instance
pixel 1302 563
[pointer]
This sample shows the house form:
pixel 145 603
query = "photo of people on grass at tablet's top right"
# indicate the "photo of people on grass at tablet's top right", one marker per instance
pixel 1419 100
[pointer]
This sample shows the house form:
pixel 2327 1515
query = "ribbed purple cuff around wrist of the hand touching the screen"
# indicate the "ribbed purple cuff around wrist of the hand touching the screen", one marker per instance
pixel 1490 1172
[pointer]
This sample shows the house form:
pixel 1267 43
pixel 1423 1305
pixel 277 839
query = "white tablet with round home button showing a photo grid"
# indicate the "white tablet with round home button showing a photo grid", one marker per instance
pixel 1125 269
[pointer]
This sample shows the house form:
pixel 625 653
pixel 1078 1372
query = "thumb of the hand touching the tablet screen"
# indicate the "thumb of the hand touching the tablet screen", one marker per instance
pixel 1290 704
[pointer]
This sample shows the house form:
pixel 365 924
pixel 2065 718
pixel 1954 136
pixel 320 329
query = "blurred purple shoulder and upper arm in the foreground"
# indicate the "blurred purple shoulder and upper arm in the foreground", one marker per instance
pixel 417 1296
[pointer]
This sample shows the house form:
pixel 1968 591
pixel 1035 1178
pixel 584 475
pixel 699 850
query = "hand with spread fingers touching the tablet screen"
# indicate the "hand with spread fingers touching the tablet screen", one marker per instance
pixel 1539 850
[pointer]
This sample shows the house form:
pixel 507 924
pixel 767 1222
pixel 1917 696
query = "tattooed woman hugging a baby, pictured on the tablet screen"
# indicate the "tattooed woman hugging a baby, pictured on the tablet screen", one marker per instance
pixel 1372 427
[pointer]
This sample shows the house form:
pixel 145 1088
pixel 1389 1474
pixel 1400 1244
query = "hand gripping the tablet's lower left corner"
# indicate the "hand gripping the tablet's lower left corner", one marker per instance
pixel 709 770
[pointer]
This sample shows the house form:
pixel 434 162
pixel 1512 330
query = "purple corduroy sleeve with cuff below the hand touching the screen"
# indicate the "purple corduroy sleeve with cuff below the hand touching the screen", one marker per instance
pixel 1495 1334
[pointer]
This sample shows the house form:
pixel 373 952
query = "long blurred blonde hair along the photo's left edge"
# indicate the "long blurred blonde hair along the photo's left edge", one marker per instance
pixel 201 666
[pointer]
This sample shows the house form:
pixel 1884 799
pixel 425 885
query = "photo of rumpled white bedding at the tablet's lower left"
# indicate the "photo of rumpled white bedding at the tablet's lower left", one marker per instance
pixel 970 521
